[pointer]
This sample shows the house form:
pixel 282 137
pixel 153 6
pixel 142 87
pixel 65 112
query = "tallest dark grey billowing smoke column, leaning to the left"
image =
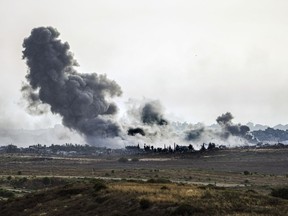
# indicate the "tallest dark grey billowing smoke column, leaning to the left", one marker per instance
pixel 83 100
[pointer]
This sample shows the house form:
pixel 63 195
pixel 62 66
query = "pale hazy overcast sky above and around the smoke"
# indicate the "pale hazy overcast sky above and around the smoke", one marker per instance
pixel 199 58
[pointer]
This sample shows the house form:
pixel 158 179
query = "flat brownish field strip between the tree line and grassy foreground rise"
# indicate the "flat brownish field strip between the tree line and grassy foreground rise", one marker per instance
pixel 261 167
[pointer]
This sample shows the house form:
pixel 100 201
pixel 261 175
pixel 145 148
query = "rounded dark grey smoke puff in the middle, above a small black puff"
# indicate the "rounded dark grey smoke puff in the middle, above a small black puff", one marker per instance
pixel 151 114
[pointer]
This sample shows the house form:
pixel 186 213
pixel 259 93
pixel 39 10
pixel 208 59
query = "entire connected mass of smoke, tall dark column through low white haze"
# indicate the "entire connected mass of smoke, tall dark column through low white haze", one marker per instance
pixel 84 101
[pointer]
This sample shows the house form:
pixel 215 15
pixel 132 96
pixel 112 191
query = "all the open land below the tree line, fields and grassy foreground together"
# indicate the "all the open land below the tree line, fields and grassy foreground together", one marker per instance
pixel 225 182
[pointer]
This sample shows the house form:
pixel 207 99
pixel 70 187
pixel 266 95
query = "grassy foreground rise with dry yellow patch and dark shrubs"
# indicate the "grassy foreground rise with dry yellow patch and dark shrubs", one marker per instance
pixel 50 196
